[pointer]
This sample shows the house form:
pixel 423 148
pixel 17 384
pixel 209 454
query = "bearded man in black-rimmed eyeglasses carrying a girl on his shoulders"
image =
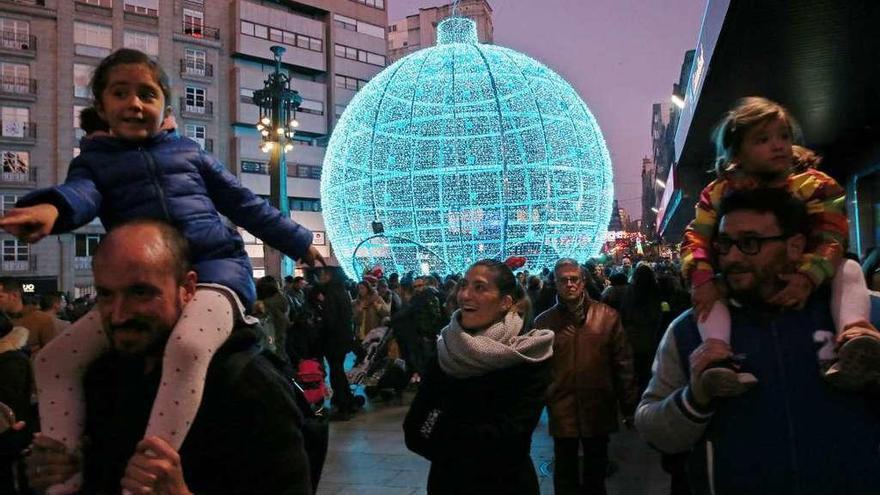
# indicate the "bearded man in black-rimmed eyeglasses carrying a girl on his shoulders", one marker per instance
pixel 791 433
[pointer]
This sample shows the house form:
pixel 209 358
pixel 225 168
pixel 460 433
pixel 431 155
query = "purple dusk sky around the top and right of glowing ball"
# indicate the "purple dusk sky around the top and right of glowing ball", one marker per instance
pixel 620 55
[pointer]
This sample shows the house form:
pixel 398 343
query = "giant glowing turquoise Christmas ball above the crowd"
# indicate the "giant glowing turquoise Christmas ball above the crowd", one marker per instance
pixel 465 151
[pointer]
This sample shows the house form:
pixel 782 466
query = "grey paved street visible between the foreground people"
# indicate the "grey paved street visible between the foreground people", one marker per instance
pixel 367 456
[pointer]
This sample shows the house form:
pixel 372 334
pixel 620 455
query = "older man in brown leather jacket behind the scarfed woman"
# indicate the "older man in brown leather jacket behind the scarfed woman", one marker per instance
pixel 592 376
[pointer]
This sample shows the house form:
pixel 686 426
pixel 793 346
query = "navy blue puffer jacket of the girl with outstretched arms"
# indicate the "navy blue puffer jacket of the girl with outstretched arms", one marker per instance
pixel 169 177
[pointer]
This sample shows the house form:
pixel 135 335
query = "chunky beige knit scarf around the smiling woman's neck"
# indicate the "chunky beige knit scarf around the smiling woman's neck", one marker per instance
pixel 464 355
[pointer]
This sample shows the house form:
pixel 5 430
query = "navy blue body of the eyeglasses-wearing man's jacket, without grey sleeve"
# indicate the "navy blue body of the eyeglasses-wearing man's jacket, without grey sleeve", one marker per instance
pixel 793 433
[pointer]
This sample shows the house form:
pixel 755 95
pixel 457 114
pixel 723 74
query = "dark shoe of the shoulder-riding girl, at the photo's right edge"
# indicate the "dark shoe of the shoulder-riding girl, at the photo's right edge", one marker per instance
pixel 858 363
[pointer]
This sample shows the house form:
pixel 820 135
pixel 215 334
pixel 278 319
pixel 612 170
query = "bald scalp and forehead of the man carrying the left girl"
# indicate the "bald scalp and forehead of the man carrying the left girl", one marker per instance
pixel 154 240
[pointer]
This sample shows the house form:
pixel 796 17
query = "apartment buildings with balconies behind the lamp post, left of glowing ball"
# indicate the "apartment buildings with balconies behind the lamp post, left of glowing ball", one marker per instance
pixel 215 54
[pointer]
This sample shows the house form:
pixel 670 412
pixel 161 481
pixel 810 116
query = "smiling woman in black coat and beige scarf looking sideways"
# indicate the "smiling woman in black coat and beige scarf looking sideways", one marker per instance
pixel 480 400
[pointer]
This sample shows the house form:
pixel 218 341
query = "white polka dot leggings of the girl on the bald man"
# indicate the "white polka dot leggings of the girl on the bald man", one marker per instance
pixel 206 323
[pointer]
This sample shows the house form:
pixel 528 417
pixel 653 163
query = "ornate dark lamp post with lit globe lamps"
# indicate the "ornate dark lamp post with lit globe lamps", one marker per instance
pixel 277 124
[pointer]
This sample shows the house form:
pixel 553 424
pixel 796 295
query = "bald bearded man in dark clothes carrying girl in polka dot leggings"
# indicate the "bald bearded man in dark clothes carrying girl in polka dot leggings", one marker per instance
pixel 247 435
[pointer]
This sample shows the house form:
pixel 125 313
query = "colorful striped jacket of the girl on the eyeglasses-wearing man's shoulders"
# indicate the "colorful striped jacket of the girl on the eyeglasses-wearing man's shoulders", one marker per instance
pixel 825 201
